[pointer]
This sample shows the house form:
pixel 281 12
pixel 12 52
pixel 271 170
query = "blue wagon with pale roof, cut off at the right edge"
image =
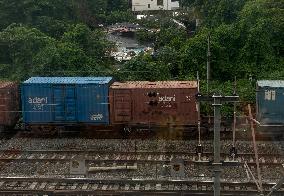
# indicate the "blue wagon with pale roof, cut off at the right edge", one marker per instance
pixel 270 104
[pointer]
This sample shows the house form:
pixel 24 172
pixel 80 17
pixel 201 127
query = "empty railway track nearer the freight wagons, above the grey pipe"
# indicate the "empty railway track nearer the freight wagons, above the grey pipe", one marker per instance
pixel 131 156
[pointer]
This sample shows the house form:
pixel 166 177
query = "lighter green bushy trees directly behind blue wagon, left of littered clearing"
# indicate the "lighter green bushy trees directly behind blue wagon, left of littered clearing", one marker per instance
pixel 29 52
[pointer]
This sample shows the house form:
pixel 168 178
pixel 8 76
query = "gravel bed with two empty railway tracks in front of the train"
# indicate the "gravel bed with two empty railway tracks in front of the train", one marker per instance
pixel 133 166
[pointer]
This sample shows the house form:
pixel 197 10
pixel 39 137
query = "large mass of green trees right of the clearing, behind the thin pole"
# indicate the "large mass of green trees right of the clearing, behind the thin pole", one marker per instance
pixel 250 47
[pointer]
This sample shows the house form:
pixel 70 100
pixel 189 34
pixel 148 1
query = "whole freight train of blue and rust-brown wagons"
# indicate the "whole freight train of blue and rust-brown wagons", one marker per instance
pixel 59 103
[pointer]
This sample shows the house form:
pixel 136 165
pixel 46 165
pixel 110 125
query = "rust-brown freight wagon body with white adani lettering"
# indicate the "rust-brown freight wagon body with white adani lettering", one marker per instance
pixel 159 103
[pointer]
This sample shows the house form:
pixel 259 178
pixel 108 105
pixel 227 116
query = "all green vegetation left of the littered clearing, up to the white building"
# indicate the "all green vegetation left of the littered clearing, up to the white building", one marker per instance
pixel 61 37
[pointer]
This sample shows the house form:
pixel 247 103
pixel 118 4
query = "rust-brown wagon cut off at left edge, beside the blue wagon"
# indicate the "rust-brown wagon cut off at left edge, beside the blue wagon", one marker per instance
pixel 9 104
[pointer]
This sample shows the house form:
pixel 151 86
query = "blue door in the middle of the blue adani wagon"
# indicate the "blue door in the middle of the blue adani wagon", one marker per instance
pixel 64 103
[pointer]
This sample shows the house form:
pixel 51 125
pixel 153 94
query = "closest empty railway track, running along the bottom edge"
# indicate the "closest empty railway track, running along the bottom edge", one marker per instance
pixel 56 186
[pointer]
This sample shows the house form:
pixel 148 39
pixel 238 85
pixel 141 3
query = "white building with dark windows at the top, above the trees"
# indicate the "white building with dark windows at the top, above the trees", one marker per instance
pixel 151 5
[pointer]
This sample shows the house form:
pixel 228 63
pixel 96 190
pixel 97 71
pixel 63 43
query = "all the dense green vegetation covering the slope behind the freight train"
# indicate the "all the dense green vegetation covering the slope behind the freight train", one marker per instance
pixel 62 37
